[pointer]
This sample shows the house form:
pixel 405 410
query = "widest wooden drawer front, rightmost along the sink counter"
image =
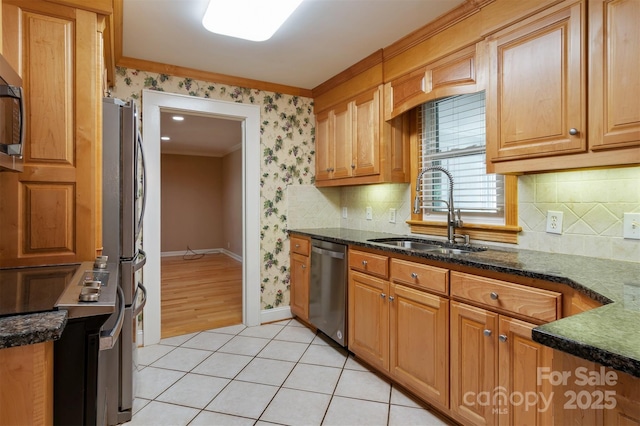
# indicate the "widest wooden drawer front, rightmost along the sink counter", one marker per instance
pixel 534 303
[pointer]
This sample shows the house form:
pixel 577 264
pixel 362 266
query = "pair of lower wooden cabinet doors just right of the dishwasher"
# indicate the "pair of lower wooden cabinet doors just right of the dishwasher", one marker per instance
pixel 402 332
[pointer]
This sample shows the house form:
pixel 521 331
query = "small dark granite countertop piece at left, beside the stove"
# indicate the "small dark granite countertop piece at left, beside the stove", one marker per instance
pixel 20 330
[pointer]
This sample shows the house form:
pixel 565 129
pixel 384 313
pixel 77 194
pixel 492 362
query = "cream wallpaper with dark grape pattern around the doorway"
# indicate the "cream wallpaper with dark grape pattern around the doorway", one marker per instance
pixel 287 145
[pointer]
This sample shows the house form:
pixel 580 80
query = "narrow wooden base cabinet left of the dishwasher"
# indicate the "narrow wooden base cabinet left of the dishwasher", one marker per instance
pixel 299 277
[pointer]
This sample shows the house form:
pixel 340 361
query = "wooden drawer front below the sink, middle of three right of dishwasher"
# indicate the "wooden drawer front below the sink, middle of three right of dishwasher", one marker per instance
pixel 419 275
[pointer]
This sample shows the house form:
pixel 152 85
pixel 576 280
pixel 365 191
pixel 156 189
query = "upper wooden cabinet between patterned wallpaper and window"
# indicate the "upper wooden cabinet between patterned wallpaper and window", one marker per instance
pixel 354 145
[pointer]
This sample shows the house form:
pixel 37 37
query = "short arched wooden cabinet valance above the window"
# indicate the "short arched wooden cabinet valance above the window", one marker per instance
pixel 458 73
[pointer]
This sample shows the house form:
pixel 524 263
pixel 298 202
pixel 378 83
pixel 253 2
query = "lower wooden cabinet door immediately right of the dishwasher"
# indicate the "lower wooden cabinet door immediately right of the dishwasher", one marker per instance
pixel 369 319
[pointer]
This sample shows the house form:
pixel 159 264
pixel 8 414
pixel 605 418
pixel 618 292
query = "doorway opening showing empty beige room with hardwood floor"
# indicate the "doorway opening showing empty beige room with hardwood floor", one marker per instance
pixel 201 222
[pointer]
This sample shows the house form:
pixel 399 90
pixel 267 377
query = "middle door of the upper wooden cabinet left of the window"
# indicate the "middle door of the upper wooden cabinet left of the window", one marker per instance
pixel 342 140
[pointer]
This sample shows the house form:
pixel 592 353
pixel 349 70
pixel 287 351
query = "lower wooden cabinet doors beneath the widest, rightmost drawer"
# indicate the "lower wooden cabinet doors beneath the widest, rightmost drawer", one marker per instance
pixel 494 370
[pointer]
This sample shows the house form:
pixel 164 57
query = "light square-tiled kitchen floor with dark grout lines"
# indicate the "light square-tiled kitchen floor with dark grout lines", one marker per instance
pixel 280 373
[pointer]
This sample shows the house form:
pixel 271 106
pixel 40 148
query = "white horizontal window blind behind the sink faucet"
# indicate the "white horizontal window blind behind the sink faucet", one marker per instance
pixel 453 137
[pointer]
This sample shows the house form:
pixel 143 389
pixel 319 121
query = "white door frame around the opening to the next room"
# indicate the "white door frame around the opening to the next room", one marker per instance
pixel 152 103
